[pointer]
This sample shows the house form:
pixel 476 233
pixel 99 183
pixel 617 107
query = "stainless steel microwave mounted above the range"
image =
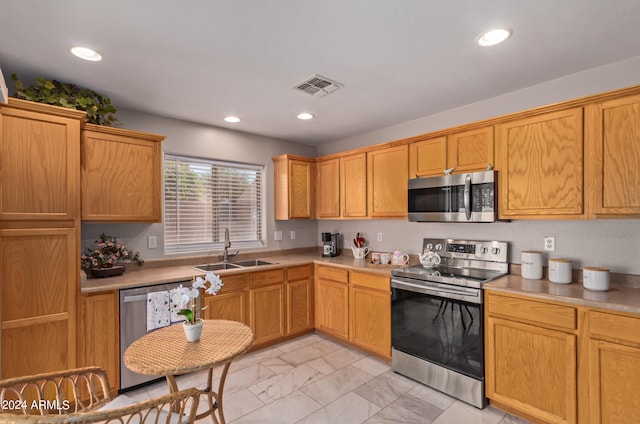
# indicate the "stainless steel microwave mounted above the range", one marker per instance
pixel 470 197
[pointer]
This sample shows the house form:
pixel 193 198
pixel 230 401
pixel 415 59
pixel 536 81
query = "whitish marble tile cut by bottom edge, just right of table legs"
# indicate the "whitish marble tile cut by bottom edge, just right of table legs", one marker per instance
pixel 286 410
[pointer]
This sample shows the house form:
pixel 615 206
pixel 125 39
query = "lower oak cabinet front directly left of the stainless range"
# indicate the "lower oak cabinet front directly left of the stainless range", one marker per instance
pixel 370 313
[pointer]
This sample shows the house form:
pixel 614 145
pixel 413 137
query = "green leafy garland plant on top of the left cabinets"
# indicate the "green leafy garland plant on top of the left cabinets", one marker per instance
pixel 98 107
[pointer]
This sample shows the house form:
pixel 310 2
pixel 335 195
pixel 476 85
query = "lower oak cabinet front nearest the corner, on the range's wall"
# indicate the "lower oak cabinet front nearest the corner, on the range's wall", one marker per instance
pixel 332 301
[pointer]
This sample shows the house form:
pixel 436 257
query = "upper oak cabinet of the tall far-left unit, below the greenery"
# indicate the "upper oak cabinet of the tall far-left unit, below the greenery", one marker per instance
pixel 39 161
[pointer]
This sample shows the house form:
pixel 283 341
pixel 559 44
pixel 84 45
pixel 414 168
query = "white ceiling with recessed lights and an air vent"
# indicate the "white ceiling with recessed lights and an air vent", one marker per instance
pixel 399 60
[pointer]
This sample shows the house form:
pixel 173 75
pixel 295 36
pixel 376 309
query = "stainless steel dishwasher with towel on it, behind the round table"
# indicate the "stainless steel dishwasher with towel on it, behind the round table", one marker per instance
pixel 133 325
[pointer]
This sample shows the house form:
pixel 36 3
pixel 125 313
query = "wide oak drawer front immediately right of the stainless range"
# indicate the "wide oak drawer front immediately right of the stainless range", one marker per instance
pixel 532 311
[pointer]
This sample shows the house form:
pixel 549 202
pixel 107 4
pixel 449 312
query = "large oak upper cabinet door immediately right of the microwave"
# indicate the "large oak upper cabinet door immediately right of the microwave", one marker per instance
pixel 541 164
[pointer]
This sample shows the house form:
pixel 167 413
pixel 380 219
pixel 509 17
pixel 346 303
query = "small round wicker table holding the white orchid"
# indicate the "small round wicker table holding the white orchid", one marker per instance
pixel 167 352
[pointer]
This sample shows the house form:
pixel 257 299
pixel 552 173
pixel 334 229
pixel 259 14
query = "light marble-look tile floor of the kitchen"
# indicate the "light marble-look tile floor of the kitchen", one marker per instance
pixel 313 379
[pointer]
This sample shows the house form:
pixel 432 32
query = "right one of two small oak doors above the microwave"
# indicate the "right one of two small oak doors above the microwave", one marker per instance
pixel 470 150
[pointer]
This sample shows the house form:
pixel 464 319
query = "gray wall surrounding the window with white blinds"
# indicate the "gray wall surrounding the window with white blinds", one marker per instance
pixel 188 138
